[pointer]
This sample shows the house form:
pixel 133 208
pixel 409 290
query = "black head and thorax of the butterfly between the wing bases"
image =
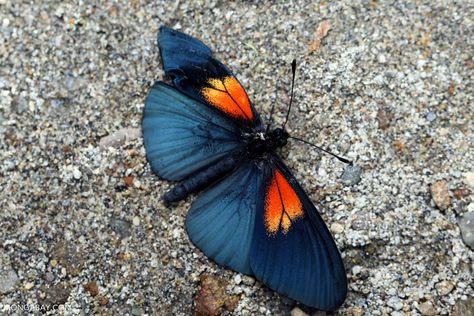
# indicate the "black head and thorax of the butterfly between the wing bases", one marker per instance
pixel 260 143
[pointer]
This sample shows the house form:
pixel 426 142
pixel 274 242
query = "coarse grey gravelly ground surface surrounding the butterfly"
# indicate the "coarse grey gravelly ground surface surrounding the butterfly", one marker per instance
pixel 390 87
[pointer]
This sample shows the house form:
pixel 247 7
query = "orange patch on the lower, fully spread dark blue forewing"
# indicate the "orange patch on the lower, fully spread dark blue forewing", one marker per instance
pixel 282 205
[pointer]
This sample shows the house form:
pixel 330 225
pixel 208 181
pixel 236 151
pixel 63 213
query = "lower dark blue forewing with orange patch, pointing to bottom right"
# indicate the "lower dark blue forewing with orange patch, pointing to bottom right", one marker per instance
pixel 292 250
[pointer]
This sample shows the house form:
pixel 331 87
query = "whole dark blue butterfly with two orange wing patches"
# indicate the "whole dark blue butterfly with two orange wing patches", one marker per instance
pixel 251 216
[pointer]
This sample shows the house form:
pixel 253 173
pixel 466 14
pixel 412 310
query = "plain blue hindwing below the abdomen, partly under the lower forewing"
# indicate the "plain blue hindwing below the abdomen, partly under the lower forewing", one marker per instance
pixel 221 220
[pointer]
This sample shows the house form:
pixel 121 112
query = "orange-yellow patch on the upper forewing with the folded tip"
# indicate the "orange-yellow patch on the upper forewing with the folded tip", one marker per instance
pixel 228 95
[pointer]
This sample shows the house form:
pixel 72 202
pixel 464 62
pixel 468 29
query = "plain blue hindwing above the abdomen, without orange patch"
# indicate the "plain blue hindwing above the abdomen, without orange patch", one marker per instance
pixel 183 135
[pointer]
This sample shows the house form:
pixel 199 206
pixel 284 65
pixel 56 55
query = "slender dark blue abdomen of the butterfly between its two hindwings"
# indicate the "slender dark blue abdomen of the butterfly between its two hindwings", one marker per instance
pixel 202 179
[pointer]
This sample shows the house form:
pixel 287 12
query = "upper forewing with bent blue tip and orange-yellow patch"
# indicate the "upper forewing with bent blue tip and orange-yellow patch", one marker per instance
pixel 197 74
